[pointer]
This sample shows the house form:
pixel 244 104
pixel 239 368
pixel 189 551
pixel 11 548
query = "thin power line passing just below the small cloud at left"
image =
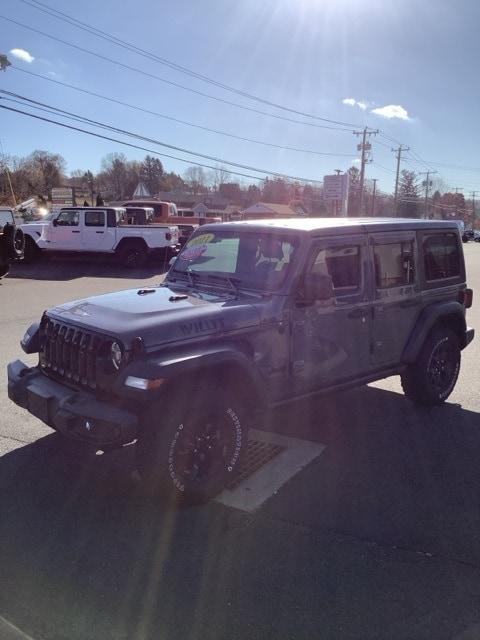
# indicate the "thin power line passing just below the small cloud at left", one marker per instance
pixel 184 122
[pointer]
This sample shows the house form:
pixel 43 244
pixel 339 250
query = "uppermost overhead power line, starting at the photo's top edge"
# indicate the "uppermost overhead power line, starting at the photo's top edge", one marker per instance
pixel 60 15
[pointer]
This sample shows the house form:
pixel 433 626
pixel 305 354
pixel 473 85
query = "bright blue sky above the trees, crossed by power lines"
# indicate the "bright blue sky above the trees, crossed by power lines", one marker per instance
pixel 309 55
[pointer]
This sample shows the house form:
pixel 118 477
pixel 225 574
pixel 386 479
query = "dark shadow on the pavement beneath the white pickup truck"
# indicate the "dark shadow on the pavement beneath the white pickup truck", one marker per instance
pixel 64 270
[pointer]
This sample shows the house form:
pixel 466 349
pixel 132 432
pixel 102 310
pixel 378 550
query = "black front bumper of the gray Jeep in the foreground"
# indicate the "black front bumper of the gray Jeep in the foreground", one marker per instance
pixel 76 414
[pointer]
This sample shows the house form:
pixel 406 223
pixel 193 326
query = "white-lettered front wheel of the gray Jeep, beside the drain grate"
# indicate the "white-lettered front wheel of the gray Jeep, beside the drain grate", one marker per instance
pixel 194 452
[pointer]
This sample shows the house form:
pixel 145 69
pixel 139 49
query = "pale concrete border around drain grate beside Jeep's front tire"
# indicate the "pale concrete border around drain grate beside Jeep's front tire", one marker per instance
pixel 292 455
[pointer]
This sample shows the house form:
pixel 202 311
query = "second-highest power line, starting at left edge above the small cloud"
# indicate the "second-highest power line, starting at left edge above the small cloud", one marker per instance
pixel 169 82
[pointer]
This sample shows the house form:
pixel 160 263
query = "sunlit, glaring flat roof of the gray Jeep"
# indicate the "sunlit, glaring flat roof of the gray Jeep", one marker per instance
pixel 316 226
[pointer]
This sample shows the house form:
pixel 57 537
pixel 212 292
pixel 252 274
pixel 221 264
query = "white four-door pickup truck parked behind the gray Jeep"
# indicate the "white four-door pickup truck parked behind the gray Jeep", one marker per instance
pixel 99 230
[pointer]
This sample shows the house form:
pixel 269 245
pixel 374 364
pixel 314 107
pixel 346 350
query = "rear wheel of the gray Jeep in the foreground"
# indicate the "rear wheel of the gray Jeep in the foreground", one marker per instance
pixel 431 379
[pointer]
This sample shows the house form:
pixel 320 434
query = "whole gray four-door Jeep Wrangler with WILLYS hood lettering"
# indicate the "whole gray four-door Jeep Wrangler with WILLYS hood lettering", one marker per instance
pixel 250 315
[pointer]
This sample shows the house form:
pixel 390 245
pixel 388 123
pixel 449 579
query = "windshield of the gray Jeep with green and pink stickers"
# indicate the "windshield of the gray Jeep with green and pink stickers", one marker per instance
pixel 254 260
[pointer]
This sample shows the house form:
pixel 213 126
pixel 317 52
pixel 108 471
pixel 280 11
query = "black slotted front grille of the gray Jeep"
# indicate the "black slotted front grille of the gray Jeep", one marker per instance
pixel 69 353
